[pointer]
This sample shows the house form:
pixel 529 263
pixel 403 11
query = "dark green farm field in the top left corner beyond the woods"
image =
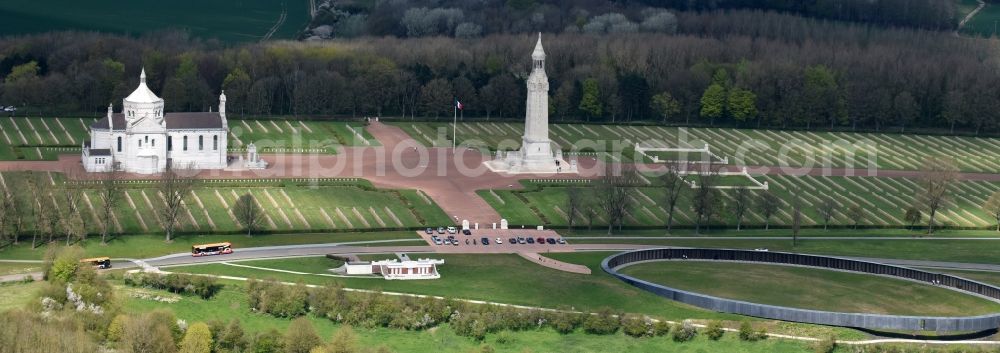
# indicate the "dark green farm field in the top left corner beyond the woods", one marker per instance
pixel 242 21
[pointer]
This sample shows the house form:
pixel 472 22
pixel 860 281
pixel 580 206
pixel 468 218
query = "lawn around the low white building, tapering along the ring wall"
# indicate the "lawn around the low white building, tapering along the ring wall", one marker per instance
pixel 505 279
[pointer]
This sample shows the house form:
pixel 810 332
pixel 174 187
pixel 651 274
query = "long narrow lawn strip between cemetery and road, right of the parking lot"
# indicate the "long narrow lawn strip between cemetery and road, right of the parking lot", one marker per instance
pixel 975 251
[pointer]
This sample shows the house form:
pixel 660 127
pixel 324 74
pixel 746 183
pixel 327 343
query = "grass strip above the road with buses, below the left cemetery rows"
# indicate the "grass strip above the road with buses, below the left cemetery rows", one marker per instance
pixel 145 246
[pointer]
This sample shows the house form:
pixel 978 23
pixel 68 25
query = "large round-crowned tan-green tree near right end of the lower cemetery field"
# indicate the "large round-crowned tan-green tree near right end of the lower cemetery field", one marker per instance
pixel 938 174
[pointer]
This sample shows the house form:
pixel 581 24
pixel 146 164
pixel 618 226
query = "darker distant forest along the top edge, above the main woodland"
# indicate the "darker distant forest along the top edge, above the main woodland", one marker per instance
pixel 470 19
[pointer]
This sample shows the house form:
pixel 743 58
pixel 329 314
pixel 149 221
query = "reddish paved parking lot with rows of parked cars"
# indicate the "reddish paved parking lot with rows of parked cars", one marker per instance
pixel 473 243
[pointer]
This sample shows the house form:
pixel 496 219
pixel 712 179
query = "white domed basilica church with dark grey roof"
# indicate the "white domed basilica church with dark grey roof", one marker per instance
pixel 142 139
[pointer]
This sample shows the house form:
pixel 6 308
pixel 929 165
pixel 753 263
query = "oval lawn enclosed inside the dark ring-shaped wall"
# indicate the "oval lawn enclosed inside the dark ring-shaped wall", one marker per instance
pixel 810 288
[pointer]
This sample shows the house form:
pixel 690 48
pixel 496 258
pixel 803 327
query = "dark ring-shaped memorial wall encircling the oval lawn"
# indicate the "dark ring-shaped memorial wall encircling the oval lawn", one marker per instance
pixel 612 263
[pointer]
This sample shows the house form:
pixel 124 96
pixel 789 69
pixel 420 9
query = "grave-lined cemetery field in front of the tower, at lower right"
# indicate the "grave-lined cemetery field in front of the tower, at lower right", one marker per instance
pixel 883 202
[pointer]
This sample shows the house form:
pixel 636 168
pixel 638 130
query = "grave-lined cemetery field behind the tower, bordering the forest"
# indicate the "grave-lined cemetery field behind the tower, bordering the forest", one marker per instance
pixel 742 146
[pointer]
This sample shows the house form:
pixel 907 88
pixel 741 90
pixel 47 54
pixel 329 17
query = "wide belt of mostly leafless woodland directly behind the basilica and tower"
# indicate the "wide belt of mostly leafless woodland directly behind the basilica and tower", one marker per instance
pixel 737 67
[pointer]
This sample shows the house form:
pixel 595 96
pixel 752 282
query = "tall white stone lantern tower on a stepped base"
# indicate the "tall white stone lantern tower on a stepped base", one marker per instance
pixel 537 155
